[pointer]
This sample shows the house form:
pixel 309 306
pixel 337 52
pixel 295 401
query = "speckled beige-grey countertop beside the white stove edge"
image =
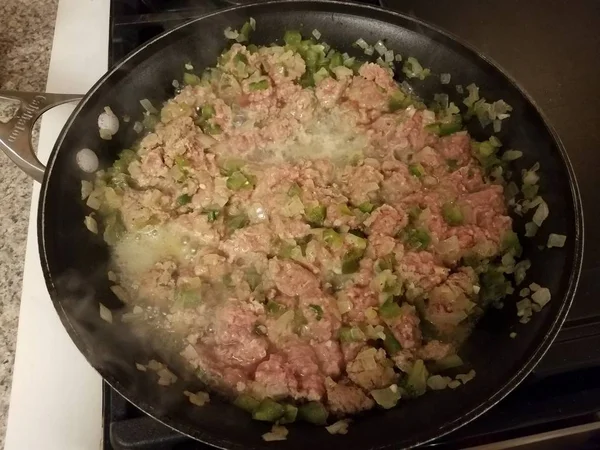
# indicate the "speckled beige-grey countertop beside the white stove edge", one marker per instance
pixel 26 30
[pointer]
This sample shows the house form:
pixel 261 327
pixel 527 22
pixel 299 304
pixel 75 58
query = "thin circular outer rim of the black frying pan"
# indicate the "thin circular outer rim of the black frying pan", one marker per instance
pixel 429 435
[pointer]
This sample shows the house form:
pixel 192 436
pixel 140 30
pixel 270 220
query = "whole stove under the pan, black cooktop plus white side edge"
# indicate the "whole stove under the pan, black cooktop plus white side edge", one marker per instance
pixel 550 46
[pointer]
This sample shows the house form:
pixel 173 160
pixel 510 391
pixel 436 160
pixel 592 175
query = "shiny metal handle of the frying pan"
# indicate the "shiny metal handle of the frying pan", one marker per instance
pixel 16 126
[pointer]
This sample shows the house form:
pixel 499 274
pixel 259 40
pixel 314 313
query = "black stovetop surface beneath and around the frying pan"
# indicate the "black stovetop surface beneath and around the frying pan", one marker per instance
pixel 550 47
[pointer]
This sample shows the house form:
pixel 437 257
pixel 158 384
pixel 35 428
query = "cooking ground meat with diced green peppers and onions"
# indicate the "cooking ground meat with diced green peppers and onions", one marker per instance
pixel 314 239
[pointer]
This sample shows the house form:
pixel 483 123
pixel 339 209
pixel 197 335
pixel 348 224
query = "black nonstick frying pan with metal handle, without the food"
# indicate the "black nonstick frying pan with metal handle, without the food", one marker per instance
pixel 75 261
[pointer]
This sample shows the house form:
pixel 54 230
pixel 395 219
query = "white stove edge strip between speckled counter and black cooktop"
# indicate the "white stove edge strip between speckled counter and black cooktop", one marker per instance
pixel 56 396
